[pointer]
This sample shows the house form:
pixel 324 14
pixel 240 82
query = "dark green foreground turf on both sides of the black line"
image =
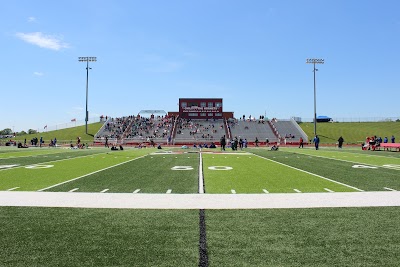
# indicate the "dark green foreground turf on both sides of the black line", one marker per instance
pixel 266 237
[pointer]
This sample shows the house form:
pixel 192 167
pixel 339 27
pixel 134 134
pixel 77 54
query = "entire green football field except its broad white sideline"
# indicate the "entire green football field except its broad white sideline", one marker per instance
pixel 45 236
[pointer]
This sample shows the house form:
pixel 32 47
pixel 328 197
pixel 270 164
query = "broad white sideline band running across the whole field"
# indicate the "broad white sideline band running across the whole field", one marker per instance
pixel 199 201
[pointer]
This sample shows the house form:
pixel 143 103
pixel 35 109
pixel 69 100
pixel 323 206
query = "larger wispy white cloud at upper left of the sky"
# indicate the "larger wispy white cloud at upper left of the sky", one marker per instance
pixel 45 41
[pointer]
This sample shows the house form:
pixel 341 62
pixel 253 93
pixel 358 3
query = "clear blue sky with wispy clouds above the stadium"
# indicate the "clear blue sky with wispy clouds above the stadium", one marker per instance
pixel 151 53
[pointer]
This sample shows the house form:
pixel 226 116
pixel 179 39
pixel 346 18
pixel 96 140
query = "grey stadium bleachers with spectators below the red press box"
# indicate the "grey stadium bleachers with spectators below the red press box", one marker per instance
pixel 175 131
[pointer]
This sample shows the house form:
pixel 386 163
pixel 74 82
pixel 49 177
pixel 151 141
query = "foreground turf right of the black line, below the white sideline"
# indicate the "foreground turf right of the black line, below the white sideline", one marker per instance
pixel 304 237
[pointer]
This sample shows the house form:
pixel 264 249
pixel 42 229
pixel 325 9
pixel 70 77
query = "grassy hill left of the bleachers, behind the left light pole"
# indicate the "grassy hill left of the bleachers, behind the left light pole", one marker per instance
pixel 65 135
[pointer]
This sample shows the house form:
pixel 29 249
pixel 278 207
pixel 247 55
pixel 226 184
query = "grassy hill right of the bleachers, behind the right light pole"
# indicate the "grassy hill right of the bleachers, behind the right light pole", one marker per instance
pixel 352 132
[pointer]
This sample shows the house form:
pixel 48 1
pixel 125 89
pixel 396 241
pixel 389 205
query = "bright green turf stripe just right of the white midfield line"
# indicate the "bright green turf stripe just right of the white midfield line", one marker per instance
pixel 252 174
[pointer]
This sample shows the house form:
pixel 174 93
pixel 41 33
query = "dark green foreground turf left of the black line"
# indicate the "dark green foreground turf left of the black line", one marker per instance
pixel 98 237
